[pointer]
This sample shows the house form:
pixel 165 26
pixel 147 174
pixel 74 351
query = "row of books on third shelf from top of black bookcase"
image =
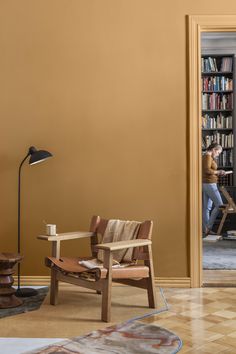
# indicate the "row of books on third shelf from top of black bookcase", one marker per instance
pixel 213 101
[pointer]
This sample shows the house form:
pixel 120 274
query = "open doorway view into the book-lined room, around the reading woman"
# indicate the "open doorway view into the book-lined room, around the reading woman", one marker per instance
pixel 218 52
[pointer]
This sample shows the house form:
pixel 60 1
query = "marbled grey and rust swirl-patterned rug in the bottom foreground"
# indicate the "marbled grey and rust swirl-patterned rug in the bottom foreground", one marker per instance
pixel 132 337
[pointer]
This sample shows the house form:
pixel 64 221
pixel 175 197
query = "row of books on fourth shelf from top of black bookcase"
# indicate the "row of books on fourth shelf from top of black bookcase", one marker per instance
pixel 217 122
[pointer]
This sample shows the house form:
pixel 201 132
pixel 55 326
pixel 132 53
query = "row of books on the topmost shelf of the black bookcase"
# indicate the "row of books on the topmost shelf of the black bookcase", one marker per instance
pixel 210 64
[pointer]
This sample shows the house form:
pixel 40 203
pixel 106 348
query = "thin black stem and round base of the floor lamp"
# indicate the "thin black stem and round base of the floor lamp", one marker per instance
pixel 22 292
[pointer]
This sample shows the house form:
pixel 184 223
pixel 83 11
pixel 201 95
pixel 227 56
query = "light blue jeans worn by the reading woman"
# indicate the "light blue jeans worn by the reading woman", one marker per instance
pixel 210 195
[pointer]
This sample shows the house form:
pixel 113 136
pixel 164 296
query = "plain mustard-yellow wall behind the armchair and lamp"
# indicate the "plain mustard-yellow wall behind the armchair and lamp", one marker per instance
pixel 102 84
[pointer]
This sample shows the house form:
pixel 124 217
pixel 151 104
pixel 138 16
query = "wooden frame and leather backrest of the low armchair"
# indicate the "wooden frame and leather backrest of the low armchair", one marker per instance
pixel 141 276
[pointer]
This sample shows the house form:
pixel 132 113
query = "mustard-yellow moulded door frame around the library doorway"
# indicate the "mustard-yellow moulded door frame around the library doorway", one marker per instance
pixel 196 25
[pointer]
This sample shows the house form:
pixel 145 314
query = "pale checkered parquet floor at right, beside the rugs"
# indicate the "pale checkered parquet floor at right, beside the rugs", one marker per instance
pixel 205 319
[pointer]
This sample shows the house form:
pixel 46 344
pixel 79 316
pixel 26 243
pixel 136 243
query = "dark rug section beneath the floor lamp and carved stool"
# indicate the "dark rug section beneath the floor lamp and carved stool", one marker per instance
pixel 29 304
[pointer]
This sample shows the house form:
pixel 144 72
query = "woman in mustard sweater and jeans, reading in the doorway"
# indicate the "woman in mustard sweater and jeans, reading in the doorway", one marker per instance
pixel 211 194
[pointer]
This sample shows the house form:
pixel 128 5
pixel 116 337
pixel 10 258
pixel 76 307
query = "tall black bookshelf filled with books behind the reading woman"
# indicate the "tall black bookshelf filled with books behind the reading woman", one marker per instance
pixel 218 109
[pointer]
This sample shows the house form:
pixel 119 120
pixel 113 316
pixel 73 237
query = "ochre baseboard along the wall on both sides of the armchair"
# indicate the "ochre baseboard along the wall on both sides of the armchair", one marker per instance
pixel 169 282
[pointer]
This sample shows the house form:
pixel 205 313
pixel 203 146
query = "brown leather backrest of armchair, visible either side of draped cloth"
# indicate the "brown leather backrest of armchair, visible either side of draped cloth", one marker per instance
pixel 98 226
